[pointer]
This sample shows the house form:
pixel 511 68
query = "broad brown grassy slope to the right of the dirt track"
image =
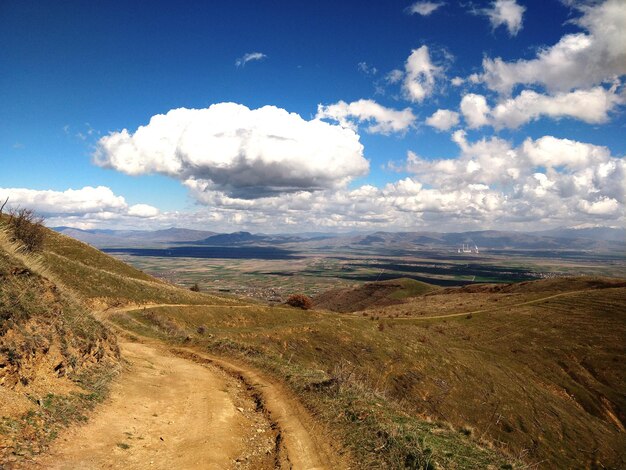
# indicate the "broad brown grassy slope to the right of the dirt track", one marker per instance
pixel 534 374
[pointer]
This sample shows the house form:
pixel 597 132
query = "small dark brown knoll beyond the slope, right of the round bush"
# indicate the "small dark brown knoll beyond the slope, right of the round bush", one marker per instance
pixel 372 294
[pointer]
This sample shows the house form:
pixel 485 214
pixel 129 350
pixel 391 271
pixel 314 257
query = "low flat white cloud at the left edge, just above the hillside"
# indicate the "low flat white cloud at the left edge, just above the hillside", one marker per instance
pixel 75 202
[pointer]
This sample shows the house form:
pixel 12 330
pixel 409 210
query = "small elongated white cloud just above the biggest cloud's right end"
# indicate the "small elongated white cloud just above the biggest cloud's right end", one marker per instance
pixel 382 120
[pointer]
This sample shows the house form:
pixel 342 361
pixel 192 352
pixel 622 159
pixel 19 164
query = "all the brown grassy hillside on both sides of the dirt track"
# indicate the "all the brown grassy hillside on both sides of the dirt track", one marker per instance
pixel 488 376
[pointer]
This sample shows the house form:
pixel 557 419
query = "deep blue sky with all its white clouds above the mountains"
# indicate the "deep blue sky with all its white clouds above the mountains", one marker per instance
pixel 329 116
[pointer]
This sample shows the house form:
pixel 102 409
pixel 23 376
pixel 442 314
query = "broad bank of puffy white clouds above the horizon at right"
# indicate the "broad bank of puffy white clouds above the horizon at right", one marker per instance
pixel 548 179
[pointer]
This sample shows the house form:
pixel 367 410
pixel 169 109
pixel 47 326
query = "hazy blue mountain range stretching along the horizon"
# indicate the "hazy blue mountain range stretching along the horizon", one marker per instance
pixel 592 239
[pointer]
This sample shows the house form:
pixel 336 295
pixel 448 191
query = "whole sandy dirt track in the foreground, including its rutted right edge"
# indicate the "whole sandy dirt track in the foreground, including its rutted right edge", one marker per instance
pixel 178 408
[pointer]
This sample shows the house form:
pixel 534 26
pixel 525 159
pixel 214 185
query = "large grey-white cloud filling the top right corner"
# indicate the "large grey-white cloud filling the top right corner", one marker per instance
pixel 578 60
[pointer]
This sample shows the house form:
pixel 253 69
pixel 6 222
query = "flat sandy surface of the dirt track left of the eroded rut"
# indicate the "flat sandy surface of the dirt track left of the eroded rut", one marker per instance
pixel 167 412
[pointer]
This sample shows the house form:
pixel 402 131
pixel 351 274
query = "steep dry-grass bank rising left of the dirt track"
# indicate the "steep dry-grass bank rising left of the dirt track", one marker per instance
pixel 55 358
